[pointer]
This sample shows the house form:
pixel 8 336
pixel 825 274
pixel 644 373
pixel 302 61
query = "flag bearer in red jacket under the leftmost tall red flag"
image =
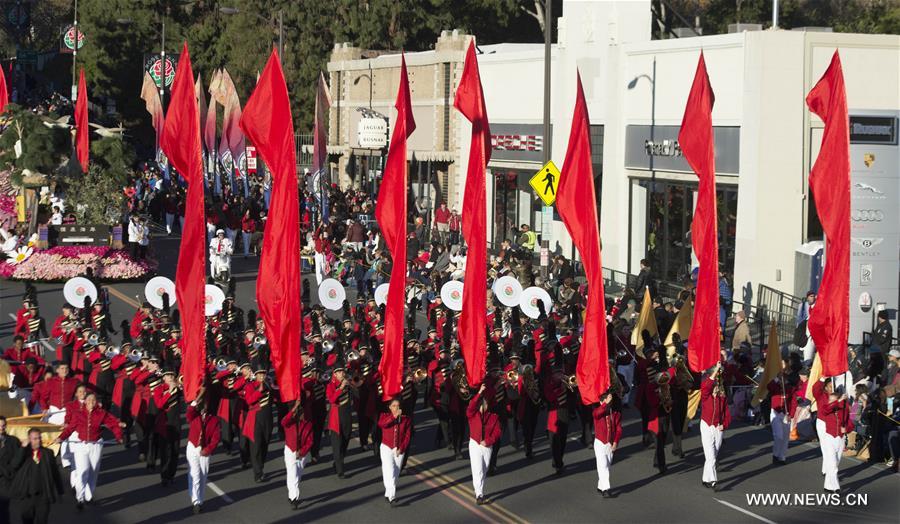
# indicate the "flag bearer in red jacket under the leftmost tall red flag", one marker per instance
pixel 203 437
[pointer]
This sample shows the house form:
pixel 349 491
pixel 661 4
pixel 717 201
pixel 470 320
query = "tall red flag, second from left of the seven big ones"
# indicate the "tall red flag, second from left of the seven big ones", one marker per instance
pixel 267 121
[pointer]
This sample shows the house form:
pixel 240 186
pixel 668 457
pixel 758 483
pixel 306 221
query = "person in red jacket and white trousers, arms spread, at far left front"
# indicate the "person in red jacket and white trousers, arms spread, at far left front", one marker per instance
pixel 89 423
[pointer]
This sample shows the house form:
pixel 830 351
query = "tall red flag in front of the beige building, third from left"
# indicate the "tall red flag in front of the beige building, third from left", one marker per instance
pixel 391 215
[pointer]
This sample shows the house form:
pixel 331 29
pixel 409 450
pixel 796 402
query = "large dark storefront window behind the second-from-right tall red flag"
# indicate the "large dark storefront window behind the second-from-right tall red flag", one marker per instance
pixel 670 210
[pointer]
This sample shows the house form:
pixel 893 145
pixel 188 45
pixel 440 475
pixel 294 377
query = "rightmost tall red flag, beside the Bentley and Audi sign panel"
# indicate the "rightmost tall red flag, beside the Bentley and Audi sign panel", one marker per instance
pixel 829 319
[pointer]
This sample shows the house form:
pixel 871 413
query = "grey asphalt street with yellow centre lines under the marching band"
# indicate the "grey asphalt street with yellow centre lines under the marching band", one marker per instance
pixel 438 489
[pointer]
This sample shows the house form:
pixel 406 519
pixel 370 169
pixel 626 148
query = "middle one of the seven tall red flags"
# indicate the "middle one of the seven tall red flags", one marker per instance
pixel 470 102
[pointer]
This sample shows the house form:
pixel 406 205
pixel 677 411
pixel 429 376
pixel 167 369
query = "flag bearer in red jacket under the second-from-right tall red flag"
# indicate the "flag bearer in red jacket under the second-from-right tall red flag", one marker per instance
pixel 714 419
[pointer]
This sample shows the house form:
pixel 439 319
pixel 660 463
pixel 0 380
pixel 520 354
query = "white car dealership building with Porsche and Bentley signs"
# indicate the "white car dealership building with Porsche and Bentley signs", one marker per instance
pixel 766 143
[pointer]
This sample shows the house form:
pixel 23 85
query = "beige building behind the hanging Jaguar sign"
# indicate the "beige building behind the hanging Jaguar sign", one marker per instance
pixel 365 83
